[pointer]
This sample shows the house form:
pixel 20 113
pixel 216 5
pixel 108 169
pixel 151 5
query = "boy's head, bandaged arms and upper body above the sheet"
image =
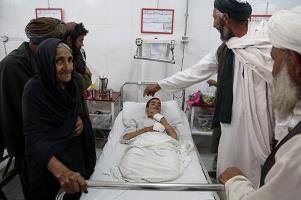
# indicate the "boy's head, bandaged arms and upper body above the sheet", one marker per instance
pixel 153 122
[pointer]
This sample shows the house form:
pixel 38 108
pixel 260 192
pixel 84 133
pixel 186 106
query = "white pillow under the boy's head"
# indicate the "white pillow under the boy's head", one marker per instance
pixel 135 110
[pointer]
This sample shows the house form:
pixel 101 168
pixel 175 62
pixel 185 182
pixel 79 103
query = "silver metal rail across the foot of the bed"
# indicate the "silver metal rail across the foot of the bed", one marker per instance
pixel 151 186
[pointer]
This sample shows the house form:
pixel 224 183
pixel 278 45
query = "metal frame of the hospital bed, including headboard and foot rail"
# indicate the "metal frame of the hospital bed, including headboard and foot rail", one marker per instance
pixel 214 188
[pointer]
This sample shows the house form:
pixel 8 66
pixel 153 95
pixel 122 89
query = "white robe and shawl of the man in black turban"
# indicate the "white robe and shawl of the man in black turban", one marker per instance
pixel 245 143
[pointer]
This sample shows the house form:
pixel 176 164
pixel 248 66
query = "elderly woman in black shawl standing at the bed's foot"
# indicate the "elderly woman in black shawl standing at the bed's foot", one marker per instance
pixel 59 144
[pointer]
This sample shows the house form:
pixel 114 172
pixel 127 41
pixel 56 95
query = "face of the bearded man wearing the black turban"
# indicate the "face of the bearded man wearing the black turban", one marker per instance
pixel 219 24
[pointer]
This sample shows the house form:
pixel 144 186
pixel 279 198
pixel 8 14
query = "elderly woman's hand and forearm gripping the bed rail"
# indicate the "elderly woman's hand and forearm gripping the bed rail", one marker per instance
pixel 70 181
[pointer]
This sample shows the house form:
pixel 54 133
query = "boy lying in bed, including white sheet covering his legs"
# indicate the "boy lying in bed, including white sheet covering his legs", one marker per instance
pixel 153 153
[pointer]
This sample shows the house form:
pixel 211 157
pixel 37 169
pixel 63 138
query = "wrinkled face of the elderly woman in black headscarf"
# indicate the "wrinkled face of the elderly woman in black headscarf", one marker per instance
pixel 64 66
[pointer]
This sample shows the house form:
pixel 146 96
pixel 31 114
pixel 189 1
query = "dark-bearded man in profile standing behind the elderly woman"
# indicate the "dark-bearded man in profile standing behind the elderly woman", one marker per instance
pixel 82 75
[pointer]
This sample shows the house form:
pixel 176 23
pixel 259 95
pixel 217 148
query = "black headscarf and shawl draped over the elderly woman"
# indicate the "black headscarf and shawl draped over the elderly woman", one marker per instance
pixel 49 118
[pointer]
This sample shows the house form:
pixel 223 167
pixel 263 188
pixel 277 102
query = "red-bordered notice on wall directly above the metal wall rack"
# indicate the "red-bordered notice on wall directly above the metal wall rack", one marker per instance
pixel 154 20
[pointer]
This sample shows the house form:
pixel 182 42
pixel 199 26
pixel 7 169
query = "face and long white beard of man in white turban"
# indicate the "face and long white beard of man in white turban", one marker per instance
pixel 286 91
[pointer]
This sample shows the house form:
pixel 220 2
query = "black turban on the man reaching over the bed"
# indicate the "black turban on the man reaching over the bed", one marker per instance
pixel 239 11
